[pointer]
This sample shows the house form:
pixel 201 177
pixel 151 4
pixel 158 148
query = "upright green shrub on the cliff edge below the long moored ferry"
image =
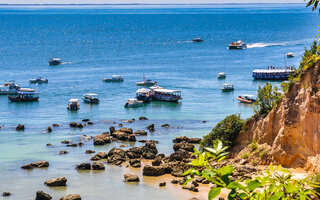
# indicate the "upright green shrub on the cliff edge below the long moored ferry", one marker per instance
pixel 267 98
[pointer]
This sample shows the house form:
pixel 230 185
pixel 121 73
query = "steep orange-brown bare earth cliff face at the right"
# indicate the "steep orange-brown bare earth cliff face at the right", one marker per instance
pixel 292 128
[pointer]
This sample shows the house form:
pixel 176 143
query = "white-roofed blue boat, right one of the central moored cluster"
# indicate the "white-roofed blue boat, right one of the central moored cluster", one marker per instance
pixel 162 94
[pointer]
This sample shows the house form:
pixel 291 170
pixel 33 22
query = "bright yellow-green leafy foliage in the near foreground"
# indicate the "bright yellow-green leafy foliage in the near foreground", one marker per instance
pixel 277 184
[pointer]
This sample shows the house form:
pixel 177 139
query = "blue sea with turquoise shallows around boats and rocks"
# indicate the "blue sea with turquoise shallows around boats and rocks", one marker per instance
pixel 97 41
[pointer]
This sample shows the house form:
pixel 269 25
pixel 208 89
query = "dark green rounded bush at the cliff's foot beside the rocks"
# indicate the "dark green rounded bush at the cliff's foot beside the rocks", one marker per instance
pixel 226 130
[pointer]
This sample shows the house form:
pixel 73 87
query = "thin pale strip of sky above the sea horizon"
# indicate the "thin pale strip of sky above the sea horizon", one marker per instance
pixel 142 1
